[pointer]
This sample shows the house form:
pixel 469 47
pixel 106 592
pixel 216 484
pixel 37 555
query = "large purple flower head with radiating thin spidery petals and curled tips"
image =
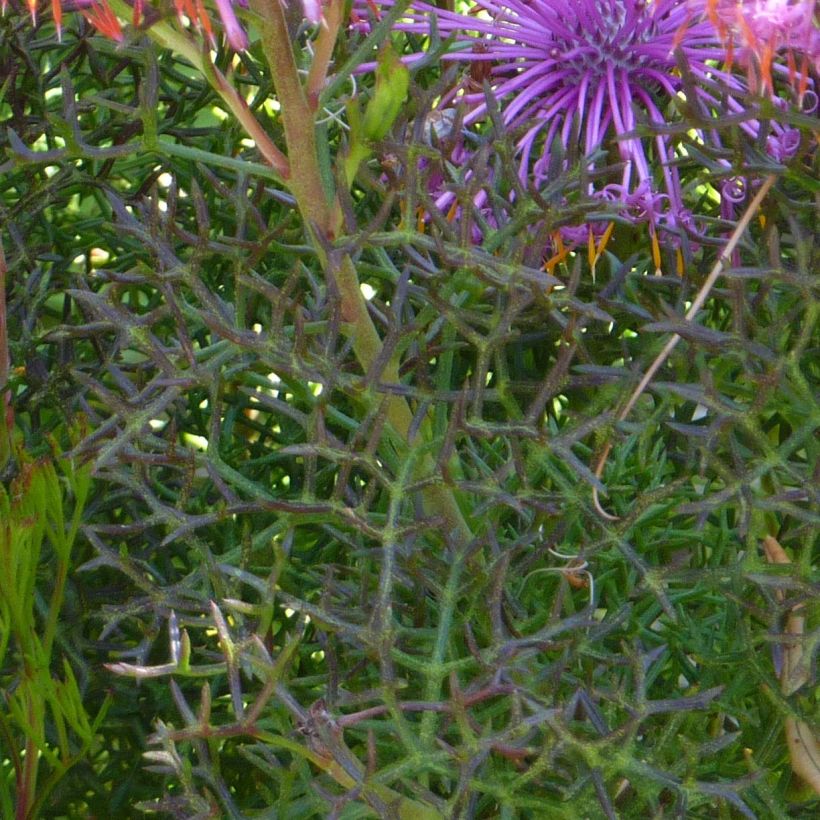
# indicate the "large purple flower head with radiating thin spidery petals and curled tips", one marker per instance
pixel 590 74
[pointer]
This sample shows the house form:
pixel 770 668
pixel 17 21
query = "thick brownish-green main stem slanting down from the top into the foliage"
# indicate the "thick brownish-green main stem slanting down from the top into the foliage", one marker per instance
pixel 322 214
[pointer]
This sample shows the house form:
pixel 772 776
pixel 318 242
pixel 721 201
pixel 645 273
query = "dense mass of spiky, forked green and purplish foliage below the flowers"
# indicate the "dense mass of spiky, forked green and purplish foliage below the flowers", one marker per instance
pixel 332 648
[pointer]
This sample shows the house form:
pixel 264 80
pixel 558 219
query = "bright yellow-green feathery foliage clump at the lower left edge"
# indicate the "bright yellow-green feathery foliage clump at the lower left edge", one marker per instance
pixel 43 720
